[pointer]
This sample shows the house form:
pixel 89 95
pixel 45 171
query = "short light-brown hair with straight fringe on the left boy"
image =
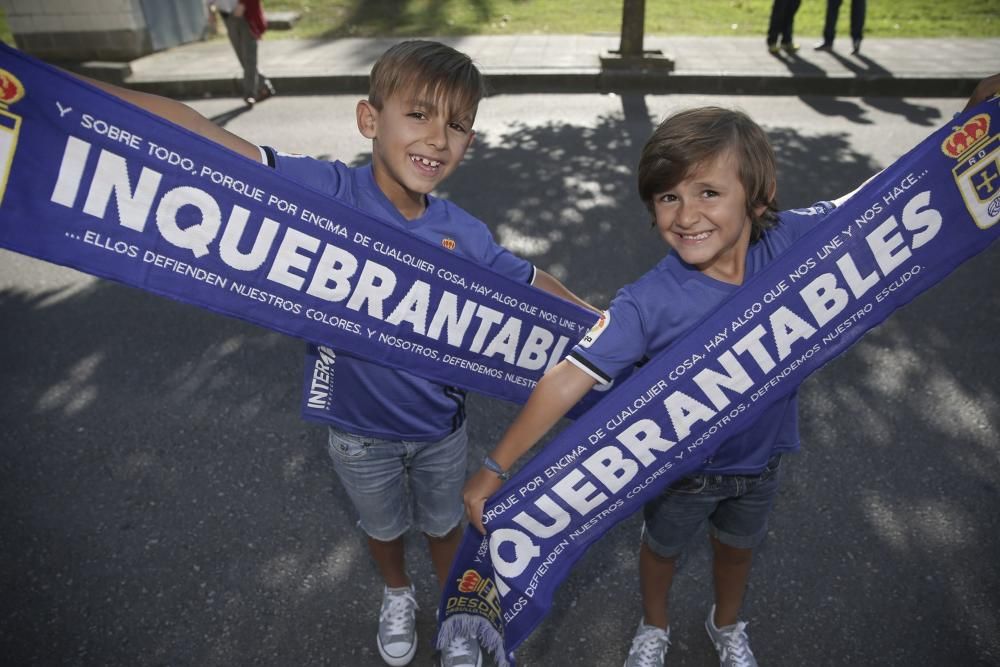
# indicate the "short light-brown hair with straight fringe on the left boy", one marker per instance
pixel 427 69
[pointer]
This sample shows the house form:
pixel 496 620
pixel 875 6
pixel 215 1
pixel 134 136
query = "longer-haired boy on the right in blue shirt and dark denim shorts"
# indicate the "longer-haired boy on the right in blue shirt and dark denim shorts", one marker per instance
pixel 708 178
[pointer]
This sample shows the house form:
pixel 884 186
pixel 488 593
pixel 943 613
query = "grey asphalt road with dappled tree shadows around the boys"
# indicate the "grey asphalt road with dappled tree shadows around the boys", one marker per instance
pixel 162 503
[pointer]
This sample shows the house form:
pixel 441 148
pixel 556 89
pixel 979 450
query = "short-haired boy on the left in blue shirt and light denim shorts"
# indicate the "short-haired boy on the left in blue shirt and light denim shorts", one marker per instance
pixel 398 442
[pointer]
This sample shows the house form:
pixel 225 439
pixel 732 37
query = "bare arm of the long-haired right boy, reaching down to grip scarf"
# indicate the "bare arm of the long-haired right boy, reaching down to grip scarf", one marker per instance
pixel 558 391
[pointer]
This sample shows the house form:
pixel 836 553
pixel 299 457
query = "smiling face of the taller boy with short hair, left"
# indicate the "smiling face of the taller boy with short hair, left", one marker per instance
pixel 416 144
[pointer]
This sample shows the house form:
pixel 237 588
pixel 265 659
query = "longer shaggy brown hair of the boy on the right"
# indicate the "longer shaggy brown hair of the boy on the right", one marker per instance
pixel 688 139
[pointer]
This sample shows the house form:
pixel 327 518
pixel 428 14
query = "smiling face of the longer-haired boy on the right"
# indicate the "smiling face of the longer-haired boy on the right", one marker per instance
pixel 704 219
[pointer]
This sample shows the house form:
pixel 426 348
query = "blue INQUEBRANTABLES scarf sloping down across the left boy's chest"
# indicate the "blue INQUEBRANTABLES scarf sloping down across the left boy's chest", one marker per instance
pixel 93 183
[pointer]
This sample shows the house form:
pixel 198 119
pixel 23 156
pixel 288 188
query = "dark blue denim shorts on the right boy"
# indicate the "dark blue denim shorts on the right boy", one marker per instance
pixel 736 506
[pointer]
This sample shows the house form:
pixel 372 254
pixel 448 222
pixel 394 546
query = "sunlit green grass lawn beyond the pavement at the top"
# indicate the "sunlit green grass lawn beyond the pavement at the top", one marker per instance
pixel 885 18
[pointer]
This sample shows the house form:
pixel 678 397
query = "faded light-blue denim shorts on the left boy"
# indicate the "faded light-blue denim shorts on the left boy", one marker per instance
pixel 393 482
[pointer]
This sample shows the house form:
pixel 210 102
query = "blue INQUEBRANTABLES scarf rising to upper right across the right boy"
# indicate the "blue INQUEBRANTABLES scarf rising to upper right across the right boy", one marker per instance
pixel 899 235
